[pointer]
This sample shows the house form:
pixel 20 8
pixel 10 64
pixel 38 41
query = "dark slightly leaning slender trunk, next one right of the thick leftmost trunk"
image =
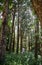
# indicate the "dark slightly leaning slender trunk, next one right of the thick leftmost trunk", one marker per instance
pixel 13 29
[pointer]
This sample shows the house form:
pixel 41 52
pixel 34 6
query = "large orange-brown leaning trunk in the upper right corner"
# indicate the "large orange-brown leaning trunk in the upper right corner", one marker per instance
pixel 37 5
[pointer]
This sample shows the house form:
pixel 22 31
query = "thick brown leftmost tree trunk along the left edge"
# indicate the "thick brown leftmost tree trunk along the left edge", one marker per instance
pixel 4 23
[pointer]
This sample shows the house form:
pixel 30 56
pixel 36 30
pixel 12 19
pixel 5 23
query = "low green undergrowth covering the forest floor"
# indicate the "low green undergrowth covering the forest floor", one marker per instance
pixel 21 59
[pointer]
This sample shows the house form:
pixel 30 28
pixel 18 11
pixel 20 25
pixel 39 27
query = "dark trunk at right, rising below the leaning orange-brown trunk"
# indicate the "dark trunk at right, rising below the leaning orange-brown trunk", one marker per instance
pixel 36 39
